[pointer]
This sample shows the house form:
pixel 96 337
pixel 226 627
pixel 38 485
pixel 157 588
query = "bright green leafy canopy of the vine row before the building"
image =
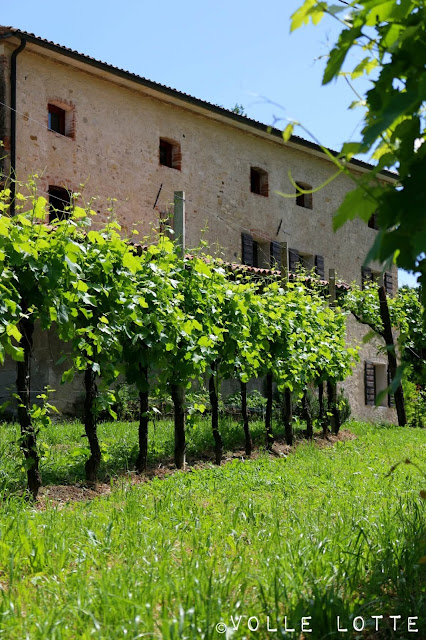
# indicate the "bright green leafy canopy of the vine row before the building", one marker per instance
pixel 159 317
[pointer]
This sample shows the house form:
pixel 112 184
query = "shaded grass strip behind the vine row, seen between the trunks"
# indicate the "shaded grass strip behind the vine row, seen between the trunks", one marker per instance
pixel 64 449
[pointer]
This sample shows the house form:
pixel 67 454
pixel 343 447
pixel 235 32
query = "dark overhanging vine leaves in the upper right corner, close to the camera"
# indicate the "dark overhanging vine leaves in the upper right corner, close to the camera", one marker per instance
pixel 392 38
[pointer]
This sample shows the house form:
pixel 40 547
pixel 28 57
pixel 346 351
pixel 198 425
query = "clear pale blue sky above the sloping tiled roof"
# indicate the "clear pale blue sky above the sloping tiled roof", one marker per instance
pixel 226 52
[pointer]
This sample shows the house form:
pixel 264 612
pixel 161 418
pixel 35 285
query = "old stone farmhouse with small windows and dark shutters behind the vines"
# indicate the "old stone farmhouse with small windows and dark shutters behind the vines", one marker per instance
pixel 74 120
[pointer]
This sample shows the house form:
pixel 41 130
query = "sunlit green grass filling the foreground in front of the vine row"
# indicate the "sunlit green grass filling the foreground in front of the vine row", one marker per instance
pixel 322 533
